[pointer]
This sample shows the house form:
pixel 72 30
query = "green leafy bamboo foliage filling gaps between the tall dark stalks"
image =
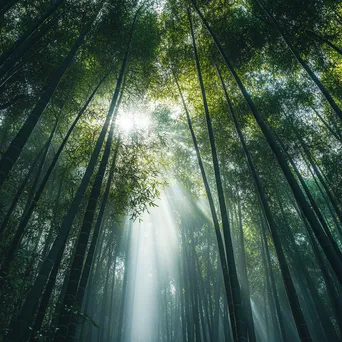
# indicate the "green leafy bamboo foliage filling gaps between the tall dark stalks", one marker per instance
pixel 152 158
